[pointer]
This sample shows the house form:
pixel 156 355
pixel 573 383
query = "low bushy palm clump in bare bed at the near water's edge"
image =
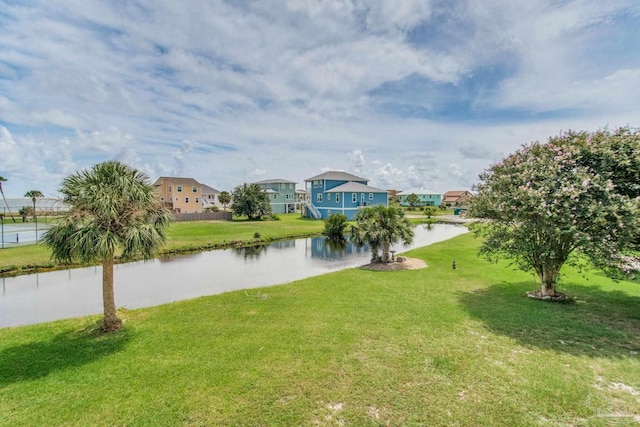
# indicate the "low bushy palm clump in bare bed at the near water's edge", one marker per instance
pixel 380 227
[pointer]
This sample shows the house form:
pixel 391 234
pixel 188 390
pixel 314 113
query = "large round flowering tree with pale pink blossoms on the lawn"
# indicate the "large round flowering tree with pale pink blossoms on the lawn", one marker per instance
pixel 576 194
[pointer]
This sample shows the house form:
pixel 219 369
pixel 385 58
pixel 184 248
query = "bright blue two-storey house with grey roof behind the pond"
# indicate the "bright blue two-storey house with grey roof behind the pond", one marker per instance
pixel 341 192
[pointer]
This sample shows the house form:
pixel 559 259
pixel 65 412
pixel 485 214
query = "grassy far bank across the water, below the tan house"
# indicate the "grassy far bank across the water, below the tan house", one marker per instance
pixel 182 237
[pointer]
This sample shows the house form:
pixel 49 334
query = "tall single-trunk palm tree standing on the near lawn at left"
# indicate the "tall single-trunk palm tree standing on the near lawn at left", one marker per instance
pixel 113 212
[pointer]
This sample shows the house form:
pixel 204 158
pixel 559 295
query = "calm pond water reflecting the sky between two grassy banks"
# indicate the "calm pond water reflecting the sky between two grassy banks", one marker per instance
pixel 44 297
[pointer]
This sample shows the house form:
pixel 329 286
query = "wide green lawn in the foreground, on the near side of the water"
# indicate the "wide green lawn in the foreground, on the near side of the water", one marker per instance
pixel 357 348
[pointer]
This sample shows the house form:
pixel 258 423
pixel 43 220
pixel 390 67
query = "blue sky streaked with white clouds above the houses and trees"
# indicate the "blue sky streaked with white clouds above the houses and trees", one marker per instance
pixel 408 94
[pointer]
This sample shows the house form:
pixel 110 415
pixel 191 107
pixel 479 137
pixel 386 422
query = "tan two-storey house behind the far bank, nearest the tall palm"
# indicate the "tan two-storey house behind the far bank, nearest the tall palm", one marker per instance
pixel 181 195
